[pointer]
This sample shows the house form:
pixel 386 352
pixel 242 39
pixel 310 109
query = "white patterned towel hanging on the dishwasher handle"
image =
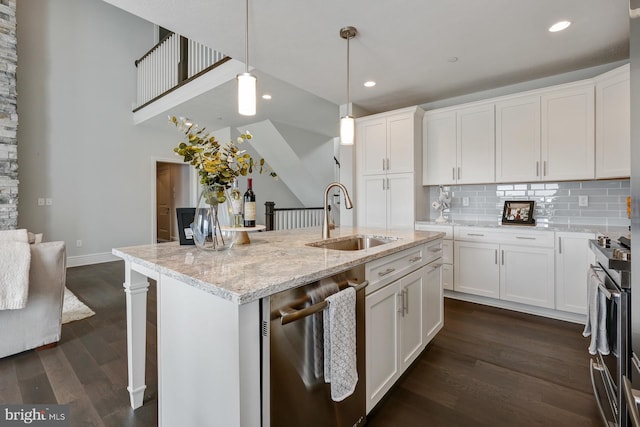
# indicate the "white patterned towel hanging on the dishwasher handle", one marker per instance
pixel 340 362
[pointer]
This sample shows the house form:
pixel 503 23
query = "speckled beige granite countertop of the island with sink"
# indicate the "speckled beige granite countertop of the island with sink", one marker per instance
pixel 273 262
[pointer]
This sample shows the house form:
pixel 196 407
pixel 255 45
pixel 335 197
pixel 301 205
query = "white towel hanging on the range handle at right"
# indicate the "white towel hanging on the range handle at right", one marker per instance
pixel 596 325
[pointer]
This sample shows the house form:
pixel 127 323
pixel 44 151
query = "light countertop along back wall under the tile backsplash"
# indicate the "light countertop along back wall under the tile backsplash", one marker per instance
pixel 611 231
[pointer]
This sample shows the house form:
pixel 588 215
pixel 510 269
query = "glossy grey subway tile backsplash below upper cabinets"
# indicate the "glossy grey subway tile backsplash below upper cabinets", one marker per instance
pixel 556 202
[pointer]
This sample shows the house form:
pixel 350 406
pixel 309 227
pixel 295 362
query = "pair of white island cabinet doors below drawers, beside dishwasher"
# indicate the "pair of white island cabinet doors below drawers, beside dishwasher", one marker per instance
pixel 400 318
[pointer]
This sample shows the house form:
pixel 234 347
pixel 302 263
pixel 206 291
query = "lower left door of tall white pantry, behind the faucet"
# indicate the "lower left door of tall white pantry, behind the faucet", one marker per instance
pixel 372 209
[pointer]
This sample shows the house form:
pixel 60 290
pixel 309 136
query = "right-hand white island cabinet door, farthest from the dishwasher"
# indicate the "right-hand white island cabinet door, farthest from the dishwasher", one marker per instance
pixel 433 302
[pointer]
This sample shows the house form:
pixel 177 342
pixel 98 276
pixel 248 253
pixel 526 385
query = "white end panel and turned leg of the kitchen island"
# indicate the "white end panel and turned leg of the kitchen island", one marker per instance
pixel 208 353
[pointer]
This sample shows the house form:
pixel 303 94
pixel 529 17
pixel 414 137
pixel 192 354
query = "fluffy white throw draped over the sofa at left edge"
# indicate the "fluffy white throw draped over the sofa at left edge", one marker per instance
pixel 15 260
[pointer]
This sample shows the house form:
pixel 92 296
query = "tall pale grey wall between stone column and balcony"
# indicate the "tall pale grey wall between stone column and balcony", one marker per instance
pixel 76 141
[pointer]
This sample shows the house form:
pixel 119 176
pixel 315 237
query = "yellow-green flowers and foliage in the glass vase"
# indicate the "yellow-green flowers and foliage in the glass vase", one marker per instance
pixel 217 165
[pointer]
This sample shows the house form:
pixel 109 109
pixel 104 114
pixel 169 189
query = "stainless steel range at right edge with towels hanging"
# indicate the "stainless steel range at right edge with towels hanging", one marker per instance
pixel 610 326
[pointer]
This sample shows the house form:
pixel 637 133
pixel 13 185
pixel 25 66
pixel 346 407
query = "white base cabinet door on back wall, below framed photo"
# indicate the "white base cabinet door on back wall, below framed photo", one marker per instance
pixel 527 275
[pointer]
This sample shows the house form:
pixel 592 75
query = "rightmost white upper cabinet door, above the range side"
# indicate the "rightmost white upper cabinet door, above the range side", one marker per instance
pixel 613 124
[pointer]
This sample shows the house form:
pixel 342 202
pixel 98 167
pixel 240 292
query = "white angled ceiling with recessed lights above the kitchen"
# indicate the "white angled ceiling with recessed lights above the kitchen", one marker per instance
pixel 404 45
